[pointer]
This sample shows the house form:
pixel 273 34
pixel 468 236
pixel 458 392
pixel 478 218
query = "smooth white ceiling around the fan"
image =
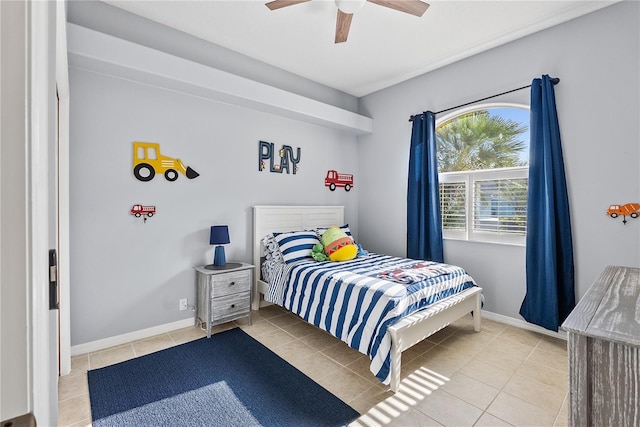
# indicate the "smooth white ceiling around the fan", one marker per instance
pixel 384 47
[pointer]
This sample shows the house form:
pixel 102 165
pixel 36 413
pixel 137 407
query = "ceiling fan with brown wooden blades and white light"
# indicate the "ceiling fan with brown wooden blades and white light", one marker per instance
pixel 346 9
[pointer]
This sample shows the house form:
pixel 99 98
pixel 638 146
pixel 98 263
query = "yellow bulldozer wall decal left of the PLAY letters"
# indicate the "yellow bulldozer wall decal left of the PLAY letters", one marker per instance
pixel 148 161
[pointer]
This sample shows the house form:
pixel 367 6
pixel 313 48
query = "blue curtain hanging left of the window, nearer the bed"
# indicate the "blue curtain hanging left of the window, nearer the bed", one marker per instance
pixel 424 224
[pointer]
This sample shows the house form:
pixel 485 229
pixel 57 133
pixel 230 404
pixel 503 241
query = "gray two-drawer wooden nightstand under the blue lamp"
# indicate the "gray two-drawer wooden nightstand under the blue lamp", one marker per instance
pixel 224 294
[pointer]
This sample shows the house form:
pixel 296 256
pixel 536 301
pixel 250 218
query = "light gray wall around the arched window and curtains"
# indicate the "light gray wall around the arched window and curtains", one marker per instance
pixel 597 59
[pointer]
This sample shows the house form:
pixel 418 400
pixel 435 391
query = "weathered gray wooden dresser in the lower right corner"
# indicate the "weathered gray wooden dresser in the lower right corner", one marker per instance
pixel 604 351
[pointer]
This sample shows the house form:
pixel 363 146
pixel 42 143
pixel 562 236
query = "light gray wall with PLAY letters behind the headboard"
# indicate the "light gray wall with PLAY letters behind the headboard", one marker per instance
pixel 127 275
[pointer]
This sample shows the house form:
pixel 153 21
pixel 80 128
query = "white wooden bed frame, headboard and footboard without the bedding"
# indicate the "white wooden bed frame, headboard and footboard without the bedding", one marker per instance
pixel 404 333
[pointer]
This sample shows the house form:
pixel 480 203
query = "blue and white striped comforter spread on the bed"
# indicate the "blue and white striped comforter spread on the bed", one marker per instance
pixel 357 300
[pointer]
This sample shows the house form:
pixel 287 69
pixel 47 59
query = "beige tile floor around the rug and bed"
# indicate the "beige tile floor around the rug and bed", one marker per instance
pixel 501 376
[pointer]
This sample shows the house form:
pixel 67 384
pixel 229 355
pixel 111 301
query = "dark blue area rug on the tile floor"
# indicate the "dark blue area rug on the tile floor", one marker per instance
pixel 229 379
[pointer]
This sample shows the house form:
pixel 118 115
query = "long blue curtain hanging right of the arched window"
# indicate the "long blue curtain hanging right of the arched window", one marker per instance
pixel 549 253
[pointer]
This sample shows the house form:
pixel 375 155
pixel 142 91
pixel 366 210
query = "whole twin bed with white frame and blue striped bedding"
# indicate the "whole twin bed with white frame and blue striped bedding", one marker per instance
pixel 378 304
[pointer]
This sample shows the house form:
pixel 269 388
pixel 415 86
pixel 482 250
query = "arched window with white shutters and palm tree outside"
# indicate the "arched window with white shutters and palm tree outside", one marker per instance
pixel 483 173
